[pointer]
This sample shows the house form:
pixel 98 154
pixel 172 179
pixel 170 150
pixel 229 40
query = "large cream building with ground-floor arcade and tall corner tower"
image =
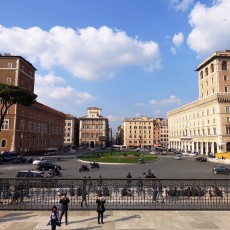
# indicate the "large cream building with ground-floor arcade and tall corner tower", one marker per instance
pixel 203 125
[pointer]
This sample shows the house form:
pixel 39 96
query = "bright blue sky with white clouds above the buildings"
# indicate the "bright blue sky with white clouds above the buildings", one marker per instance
pixel 131 58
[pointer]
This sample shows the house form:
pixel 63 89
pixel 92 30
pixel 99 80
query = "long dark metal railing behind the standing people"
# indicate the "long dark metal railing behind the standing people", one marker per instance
pixel 120 194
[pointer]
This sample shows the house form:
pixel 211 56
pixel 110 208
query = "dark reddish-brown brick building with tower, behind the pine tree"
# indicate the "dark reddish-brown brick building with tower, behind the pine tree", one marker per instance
pixel 32 128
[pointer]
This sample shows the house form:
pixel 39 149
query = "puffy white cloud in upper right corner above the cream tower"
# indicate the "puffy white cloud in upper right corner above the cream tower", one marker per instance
pixel 210 27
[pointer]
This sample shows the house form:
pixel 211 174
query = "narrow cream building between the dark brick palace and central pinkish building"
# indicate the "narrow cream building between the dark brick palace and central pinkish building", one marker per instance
pixel 71 130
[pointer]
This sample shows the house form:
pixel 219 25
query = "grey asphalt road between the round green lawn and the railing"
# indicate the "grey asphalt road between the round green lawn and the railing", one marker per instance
pixel 166 168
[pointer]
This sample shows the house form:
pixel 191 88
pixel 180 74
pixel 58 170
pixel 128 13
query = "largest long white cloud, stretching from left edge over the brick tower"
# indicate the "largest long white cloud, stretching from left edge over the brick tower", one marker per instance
pixel 87 53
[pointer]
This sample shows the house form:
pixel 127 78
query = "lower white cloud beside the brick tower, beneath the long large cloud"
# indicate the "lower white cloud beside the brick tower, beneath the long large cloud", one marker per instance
pixel 50 91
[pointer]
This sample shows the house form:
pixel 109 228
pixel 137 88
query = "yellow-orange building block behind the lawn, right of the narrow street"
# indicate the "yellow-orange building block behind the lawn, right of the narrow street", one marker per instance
pixel 143 132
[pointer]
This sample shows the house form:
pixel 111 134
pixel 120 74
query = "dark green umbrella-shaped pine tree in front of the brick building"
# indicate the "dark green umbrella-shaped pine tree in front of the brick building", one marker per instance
pixel 10 94
